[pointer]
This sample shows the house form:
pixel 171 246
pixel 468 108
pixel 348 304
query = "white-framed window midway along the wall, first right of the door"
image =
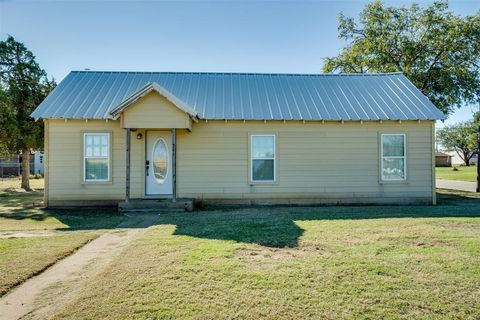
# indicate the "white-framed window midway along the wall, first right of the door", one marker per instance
pixel 262 155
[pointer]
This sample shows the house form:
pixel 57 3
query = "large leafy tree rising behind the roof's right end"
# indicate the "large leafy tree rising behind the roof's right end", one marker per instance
pixel 437 50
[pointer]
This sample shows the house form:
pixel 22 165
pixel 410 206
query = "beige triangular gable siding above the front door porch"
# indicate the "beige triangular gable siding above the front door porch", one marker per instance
pixel 162 114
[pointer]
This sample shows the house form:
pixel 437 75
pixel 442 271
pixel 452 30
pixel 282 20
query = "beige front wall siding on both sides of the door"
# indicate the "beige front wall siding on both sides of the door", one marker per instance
pixel 330 162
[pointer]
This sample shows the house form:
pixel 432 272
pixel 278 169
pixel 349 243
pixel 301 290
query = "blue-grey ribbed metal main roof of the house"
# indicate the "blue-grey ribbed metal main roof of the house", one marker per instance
pixel 247 96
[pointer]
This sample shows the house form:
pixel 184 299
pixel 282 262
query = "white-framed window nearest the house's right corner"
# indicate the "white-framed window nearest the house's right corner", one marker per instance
pixel 393 157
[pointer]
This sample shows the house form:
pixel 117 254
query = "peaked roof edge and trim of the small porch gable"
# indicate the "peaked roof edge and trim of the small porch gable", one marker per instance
pixel 149 87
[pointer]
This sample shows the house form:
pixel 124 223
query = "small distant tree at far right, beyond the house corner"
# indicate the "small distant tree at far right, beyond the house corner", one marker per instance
pixel 461 138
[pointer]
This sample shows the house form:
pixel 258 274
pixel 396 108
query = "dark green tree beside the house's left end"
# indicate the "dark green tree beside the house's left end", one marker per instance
pixel 23 85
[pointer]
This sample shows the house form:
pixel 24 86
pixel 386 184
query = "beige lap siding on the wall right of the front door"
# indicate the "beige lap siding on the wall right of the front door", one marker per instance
pixel 314 160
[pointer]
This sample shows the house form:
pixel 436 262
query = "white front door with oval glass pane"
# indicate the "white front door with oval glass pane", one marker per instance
pixel 158 165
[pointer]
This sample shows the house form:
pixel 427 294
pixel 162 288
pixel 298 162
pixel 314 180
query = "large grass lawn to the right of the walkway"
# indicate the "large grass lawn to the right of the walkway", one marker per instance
pixel 295 263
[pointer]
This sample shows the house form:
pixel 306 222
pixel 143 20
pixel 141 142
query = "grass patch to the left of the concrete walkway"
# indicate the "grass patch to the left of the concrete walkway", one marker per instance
pixel 21 255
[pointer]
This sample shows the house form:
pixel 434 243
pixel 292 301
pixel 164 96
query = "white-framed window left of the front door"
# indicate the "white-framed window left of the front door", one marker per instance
pixel 96 157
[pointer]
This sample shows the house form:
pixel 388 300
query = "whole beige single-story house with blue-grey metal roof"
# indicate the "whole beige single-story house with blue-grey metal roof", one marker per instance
pixel 238 138
